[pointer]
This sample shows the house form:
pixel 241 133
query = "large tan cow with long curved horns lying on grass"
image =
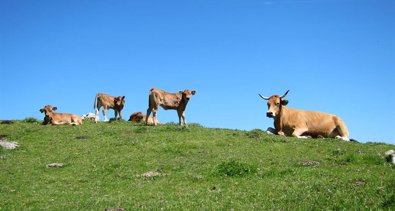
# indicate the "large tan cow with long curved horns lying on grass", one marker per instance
pixel 303 124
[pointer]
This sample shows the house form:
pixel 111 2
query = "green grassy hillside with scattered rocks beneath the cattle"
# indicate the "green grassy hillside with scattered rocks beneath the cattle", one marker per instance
pixel 131 166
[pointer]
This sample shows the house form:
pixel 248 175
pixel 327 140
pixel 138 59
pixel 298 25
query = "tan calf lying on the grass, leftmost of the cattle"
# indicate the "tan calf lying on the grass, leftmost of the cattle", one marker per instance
pixel 59 118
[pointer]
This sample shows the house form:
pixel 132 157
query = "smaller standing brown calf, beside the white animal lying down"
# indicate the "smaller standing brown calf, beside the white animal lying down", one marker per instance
pixel 108 102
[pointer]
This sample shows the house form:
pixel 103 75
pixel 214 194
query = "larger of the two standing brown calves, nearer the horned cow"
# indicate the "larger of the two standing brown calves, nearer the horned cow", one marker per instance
pixel 174 101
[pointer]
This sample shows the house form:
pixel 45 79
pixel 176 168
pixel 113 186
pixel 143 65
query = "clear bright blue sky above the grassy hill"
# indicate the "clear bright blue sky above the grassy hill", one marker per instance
pixel 336 56
